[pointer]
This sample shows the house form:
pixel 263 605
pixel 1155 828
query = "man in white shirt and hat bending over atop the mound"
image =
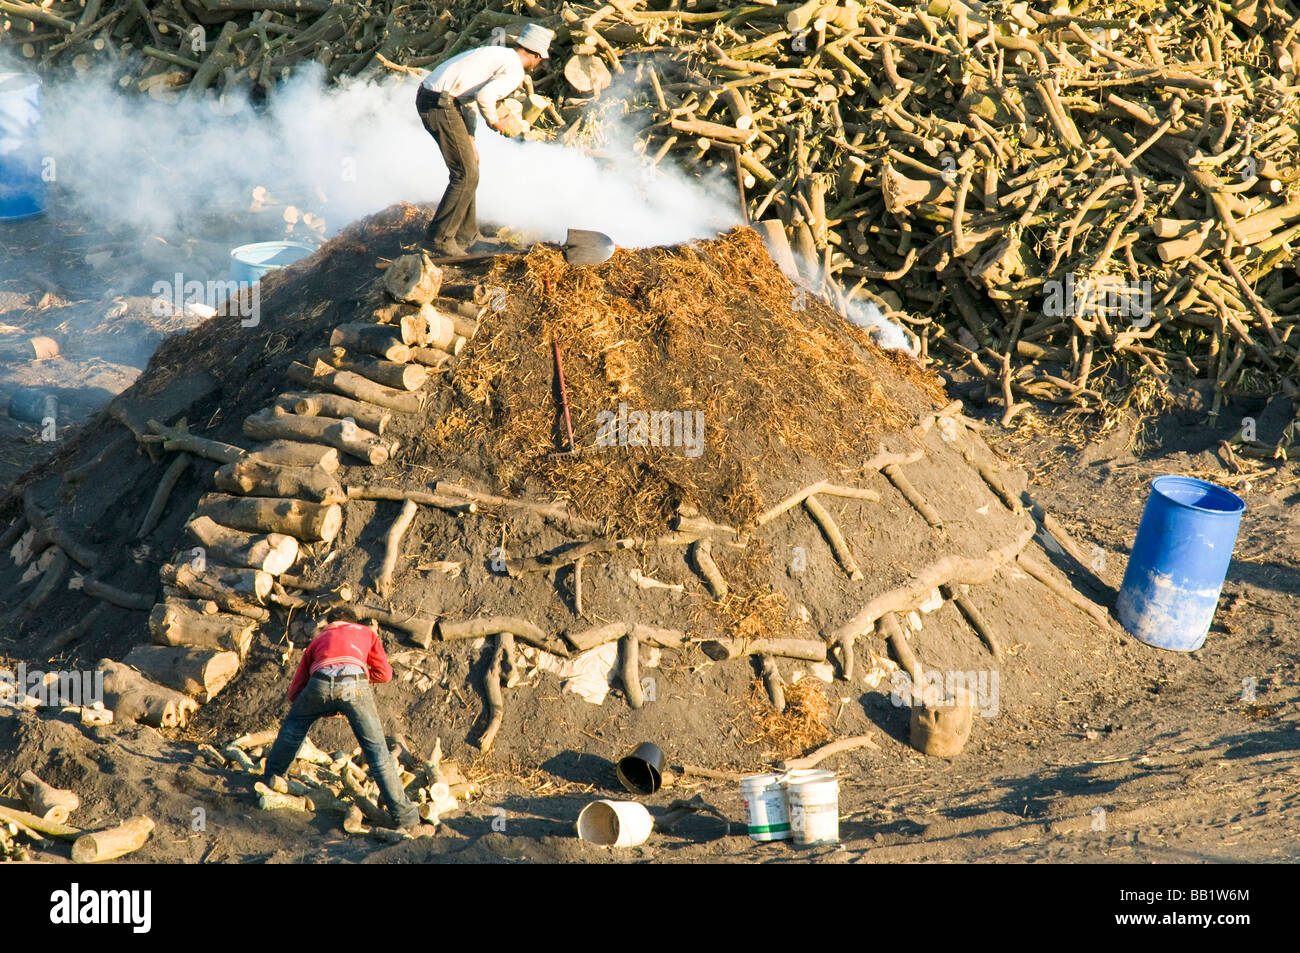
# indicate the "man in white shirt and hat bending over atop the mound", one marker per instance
pixel 448 101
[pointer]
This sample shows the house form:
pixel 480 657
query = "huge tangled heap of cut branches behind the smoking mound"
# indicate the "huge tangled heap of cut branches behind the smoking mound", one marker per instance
pixel 1046 197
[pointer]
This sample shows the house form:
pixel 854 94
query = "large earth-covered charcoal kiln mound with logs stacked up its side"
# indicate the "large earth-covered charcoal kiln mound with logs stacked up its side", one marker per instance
pixel 761 517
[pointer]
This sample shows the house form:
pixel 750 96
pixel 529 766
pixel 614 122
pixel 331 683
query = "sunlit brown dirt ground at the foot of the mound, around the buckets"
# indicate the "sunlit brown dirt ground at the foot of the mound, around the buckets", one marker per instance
pixel 1168 760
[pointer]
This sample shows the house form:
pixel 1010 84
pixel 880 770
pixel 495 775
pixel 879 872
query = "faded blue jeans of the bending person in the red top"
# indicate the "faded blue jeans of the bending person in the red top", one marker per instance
pixel 353 698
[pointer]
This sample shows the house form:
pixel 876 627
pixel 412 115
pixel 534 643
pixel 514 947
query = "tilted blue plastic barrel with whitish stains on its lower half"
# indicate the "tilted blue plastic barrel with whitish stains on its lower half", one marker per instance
pixel 1180 561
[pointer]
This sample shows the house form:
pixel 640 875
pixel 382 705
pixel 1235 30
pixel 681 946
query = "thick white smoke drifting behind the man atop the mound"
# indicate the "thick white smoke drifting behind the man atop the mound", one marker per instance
pixel 357 149
